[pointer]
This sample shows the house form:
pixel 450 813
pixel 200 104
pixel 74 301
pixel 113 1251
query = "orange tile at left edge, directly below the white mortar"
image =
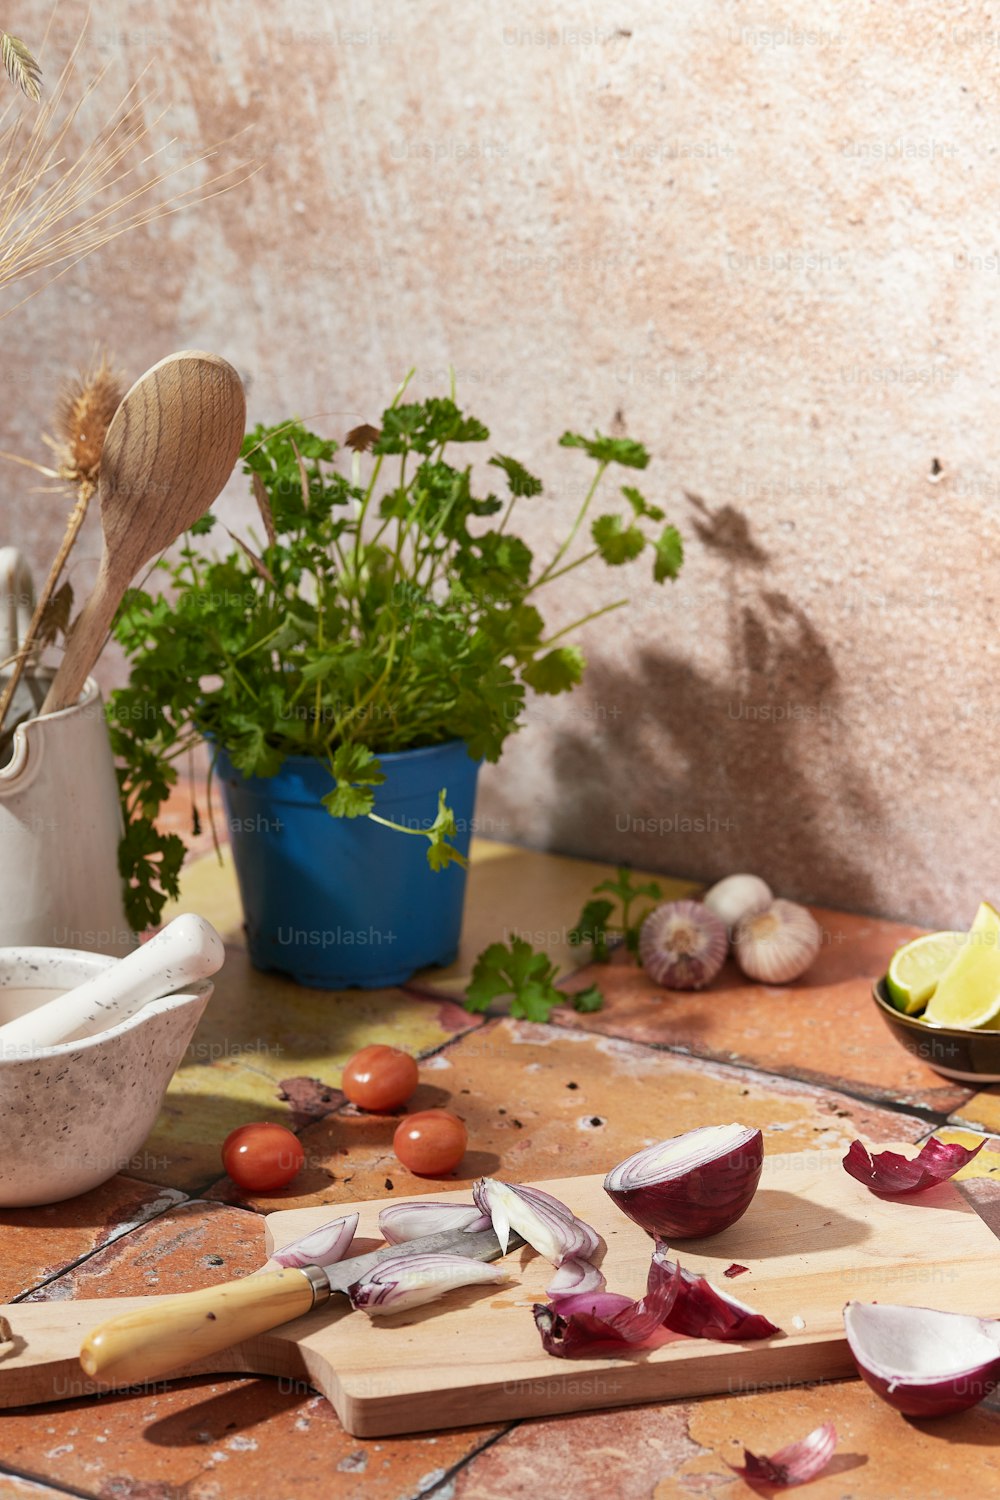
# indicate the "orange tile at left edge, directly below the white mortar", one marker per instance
pixel 35 1244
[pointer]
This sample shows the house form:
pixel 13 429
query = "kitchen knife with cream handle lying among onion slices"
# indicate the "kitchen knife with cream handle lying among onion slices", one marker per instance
pixel 173 1333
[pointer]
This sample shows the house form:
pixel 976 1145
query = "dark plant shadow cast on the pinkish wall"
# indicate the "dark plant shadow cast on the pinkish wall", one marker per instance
pixel 702 778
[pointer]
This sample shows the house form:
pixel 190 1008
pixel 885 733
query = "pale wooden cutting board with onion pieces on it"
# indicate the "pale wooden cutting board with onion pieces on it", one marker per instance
pixel 813 1240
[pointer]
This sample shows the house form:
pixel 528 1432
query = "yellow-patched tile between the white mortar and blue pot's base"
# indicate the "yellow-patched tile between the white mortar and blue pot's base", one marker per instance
pixel 259 1033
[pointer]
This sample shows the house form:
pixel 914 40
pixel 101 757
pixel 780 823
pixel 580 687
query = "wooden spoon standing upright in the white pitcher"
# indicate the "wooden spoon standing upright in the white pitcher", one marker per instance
pixel 170 449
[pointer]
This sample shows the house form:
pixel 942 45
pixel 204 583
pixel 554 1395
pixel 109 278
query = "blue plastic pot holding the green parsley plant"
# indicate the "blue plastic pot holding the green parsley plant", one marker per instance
pixel 341 902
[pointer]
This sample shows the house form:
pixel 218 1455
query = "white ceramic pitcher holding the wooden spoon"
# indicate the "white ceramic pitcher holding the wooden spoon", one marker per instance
pixel 61 820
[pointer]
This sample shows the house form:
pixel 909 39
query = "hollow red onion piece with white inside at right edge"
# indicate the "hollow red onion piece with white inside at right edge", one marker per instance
pixel 924 1363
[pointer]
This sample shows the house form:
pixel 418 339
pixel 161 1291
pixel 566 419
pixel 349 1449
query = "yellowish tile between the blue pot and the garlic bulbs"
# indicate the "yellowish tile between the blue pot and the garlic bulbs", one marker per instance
pixel 536 896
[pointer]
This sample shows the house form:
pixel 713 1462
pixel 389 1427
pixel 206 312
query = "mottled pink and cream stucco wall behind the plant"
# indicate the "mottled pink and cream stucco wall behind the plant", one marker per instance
pixel 765 245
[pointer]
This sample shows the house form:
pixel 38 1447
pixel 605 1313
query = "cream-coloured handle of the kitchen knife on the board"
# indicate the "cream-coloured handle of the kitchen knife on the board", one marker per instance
pixel 173 1333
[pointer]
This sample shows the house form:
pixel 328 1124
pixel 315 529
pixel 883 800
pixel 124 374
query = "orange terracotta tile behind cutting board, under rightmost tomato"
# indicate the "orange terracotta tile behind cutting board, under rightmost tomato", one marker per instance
pixel 542 1102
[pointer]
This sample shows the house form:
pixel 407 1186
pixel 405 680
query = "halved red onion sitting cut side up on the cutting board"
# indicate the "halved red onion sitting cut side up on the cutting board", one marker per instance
pixel 692 1186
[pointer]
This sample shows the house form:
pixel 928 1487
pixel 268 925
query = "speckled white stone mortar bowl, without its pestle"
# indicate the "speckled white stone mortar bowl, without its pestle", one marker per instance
pixel 74 1115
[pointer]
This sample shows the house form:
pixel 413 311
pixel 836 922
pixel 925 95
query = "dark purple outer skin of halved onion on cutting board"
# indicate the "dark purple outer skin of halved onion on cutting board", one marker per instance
pixel 701 1204
